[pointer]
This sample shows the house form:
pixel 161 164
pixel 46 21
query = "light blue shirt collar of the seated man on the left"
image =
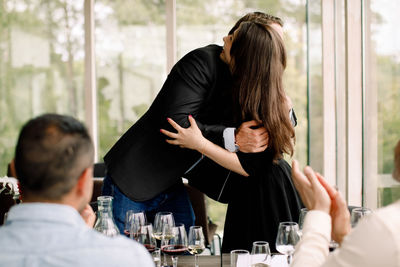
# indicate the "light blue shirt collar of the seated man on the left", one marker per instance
pixel 48 212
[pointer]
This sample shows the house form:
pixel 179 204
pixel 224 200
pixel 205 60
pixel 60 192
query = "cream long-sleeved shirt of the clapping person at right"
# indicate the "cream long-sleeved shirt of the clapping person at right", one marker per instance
pixel 374 242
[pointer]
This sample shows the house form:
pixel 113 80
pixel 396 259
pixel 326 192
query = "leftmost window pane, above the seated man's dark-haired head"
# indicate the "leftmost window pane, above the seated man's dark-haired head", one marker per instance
pixel 41 64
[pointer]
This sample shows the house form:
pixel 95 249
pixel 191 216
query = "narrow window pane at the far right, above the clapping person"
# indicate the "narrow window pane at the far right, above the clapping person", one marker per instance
pixel 382 109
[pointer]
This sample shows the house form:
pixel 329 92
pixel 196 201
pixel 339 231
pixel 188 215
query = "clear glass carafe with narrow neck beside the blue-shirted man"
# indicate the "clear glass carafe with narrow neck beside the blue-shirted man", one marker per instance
pixel 105 222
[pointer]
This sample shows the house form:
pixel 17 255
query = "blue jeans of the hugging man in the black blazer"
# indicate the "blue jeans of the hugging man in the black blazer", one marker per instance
pixel 174 200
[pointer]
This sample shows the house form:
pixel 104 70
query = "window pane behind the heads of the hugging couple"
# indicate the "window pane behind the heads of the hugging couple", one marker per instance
pixel 200 23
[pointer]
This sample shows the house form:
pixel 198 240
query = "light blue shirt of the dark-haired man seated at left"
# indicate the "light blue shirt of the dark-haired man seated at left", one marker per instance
pixel 38 234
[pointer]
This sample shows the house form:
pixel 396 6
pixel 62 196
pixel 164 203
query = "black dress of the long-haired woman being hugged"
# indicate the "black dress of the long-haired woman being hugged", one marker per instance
pixel 258 203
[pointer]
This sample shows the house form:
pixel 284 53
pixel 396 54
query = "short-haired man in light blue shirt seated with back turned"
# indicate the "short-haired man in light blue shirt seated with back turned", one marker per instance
pixel 53 162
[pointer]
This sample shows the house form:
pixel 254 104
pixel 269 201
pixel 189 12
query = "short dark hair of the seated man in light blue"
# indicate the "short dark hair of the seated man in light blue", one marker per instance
pixel 51 153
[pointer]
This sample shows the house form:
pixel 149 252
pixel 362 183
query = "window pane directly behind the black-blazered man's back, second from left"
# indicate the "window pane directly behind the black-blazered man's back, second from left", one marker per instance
pixel 131 63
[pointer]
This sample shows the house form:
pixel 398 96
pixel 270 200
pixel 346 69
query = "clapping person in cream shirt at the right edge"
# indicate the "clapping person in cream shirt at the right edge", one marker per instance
pixel 374 242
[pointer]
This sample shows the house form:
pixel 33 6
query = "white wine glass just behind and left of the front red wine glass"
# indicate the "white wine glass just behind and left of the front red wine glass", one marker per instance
pixel 163 224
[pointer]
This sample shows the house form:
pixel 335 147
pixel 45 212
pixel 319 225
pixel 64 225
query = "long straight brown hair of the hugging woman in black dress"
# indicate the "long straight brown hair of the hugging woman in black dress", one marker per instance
pixel 258 62
